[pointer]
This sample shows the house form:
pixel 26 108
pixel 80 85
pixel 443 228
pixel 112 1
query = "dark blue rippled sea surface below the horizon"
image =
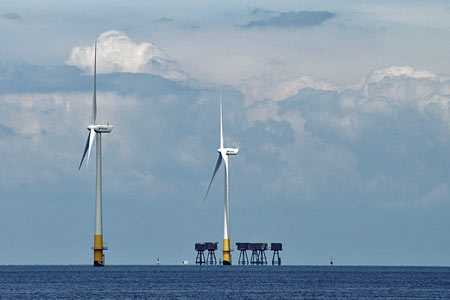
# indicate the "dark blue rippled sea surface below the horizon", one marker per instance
pixel 219 282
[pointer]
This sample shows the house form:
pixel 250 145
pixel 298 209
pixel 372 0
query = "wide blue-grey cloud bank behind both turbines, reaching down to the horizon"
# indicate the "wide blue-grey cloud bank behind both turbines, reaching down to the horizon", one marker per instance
pixel 379 147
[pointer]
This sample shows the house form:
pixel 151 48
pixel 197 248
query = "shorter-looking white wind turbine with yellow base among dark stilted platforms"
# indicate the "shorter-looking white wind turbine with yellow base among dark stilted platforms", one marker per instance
pixel 223 156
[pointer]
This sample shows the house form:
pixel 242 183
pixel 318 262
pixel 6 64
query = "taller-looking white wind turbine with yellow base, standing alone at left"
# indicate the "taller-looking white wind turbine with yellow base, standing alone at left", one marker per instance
pixel 96 130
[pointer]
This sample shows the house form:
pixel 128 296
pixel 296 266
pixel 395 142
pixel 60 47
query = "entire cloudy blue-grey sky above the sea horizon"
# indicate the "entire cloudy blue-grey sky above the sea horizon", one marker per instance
pixel 341 111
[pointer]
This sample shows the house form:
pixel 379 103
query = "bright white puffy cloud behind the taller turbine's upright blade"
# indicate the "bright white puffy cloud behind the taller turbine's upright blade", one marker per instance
pixel 118 53
